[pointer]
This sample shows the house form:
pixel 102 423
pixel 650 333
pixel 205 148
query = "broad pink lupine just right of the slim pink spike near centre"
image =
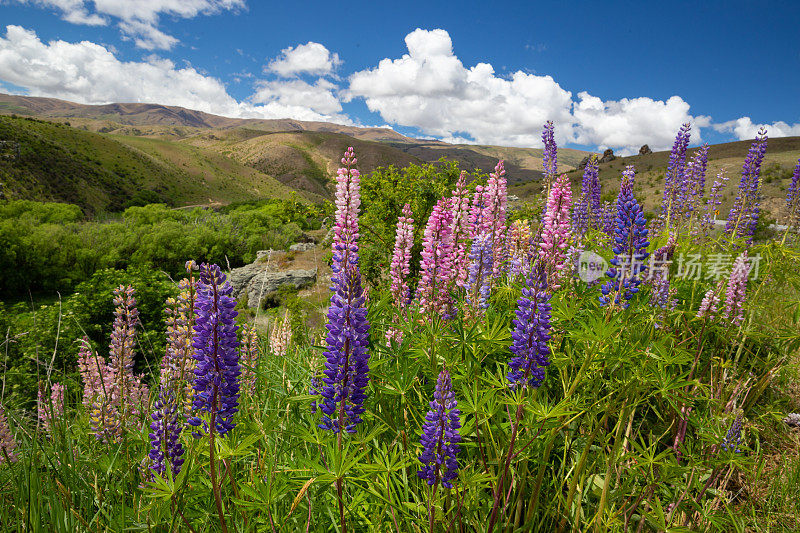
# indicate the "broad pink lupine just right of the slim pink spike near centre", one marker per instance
pixel 436 264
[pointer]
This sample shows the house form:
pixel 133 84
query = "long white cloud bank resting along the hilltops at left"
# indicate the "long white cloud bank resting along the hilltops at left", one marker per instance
pixel 89 73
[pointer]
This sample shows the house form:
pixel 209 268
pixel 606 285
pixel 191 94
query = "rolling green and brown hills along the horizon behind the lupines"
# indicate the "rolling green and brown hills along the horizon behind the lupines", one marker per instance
pixel 101 156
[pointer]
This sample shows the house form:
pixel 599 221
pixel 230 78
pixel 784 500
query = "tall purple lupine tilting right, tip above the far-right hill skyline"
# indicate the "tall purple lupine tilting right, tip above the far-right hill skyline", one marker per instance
pixel 743 217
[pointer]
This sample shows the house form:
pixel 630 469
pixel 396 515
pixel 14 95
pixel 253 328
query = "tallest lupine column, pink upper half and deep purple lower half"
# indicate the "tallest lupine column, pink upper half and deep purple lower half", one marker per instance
pixel 347 359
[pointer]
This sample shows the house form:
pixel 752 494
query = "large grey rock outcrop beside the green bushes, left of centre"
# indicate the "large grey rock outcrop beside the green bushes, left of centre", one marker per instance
pixel 260 279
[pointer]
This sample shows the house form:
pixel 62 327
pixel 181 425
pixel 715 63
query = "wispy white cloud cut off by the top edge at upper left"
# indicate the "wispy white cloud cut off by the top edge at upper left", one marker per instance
pixel 137 19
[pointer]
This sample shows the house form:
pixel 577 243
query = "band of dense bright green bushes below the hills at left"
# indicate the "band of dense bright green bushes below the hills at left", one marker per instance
pixel 51 246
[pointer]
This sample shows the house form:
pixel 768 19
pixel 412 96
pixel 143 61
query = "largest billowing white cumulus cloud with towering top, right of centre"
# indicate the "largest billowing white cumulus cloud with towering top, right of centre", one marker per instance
pixel 429 88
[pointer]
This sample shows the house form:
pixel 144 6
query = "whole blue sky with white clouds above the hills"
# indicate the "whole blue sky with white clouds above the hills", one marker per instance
pixel 610 74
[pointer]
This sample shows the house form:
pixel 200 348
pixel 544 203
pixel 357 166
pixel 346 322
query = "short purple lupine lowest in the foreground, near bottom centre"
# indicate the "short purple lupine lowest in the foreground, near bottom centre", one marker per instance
pixel 440 435
